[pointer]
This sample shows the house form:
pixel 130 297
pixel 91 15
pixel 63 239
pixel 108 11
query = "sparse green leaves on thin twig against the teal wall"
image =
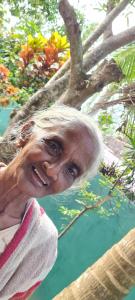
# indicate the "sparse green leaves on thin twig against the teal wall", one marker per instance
pixel 88 198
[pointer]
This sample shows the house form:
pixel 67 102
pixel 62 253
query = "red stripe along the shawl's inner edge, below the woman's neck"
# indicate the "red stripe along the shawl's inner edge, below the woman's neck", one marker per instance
pixel 17 237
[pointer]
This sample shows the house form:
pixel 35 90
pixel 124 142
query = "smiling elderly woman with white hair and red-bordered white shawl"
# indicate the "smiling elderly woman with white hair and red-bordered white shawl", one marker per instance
pixel 55 149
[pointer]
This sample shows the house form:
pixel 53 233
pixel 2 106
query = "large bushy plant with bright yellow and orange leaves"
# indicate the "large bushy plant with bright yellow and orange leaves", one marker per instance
pixel 40 58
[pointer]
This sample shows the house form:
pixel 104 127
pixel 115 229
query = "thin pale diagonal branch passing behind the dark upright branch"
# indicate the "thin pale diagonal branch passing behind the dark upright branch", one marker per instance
pixel 95 35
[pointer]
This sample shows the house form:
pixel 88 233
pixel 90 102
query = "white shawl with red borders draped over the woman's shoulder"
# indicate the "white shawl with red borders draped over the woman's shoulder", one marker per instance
pixel 29 256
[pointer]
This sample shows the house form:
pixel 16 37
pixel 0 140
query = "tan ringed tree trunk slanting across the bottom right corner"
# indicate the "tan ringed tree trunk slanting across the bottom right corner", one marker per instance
pixel 110 278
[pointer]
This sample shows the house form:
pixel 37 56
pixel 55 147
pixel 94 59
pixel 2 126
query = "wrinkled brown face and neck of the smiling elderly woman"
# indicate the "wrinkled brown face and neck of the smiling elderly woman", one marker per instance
pixel 48 162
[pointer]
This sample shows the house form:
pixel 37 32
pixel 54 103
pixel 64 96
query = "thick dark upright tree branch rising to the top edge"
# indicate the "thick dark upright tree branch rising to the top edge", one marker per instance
pixel 74 35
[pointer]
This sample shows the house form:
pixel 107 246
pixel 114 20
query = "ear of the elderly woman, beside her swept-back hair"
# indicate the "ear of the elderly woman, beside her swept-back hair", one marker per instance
pixel 25 134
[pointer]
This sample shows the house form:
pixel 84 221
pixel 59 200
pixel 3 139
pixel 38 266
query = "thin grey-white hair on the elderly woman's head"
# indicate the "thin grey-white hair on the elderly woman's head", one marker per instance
pixel 64 115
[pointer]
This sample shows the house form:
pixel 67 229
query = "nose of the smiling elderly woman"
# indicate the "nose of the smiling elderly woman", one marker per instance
pixel 52 169
